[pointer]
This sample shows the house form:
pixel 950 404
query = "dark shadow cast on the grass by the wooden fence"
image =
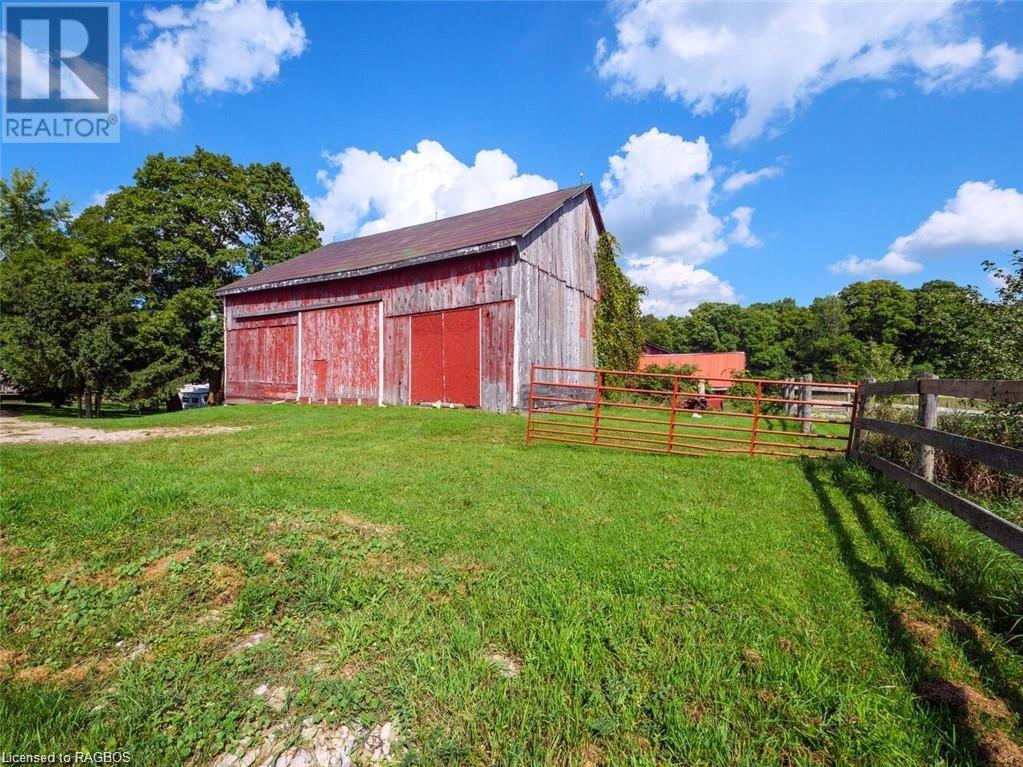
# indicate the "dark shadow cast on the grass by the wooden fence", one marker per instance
pixel 912 640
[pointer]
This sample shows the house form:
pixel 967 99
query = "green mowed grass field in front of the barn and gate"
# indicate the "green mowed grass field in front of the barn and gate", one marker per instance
pixel 660 610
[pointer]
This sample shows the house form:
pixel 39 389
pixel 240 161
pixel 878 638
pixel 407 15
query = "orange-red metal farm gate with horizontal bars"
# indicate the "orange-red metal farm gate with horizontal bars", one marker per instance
pixel 690 415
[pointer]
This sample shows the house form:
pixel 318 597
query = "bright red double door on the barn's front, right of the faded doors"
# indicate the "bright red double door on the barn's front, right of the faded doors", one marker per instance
pixel 447 357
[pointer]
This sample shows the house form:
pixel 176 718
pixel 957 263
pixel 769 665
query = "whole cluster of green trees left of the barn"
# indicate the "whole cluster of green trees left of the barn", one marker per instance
pixel 118 302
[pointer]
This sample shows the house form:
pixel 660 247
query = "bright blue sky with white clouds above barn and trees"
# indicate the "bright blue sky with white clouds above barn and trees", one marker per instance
pixel 887 138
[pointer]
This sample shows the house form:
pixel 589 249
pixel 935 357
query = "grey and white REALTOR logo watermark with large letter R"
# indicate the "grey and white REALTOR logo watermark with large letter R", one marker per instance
pixel 62 71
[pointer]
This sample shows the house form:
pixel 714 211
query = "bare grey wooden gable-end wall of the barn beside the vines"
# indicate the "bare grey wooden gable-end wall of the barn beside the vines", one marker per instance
pixel 556 282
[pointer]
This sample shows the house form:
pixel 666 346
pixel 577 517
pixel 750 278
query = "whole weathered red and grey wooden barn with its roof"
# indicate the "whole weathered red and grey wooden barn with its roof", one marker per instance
pixel 455 310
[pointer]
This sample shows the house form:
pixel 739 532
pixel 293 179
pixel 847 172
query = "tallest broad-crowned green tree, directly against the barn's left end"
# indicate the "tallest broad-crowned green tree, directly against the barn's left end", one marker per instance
pixel 187 227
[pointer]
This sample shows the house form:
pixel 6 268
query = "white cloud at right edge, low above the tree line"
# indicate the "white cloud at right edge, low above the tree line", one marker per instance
pixel 981 217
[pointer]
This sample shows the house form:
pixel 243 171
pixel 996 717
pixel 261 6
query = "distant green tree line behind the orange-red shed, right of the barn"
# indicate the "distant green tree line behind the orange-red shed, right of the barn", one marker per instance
pixel 875 329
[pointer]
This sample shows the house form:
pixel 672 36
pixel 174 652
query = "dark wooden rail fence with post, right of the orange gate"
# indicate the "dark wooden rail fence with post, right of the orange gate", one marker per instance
pixel 926 438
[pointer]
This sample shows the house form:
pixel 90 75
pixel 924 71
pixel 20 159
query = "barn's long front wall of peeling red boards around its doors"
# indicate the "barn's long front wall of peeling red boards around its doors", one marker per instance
pixel 485 280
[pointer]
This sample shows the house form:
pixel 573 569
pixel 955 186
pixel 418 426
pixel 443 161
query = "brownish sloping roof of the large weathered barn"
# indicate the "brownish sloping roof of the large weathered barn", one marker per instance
pixel 459 236
